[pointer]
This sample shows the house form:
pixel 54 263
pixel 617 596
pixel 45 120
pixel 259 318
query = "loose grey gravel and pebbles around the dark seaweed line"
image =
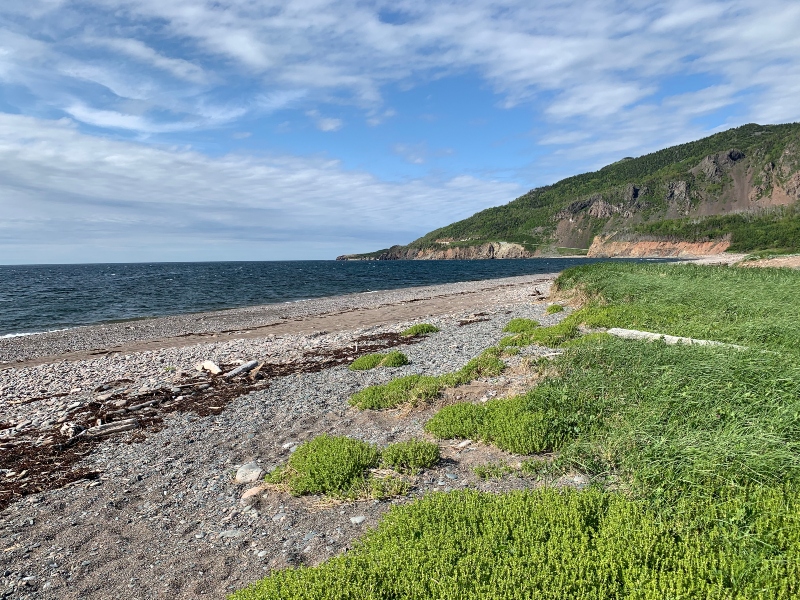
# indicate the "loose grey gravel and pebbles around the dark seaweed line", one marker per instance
pixel 165 516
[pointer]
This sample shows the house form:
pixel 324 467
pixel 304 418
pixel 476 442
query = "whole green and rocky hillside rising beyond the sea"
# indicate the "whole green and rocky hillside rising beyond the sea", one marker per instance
pixel 752 171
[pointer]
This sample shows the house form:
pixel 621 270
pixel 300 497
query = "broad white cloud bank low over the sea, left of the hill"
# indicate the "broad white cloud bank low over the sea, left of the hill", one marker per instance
pixel 66 192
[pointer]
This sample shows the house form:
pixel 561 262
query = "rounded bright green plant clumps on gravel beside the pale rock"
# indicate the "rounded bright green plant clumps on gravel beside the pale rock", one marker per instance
pixel 339 467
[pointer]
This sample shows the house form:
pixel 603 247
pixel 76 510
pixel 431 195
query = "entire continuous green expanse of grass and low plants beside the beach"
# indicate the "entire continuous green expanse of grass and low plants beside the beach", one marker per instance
pixel 697 447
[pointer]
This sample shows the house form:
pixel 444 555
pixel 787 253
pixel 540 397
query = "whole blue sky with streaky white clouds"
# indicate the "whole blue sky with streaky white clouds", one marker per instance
pixel 194 130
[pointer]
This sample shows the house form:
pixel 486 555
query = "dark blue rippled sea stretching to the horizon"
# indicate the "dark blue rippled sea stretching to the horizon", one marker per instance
pixel 45 297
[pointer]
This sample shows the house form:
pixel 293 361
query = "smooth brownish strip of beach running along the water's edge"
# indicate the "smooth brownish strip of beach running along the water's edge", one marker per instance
pixel 329 314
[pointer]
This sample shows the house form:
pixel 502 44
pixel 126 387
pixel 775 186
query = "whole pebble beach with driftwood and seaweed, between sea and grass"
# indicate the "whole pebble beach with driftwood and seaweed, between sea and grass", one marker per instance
pixel 130 472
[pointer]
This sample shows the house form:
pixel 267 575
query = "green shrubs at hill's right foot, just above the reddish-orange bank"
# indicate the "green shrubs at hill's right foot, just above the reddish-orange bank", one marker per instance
pixel 778 231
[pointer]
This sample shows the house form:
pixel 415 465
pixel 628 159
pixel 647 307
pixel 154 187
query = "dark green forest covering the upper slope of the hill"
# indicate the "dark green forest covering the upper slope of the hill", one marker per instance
pixel 529 220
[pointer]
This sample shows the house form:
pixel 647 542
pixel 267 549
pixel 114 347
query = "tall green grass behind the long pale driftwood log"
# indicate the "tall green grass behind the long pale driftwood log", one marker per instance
pixel 750 307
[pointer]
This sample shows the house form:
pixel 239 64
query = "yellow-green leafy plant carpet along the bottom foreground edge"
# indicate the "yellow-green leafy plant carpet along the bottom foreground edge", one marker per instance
pixel 562 545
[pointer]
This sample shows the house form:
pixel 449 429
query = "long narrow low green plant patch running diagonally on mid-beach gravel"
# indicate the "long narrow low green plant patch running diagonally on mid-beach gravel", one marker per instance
pixel 414 389
